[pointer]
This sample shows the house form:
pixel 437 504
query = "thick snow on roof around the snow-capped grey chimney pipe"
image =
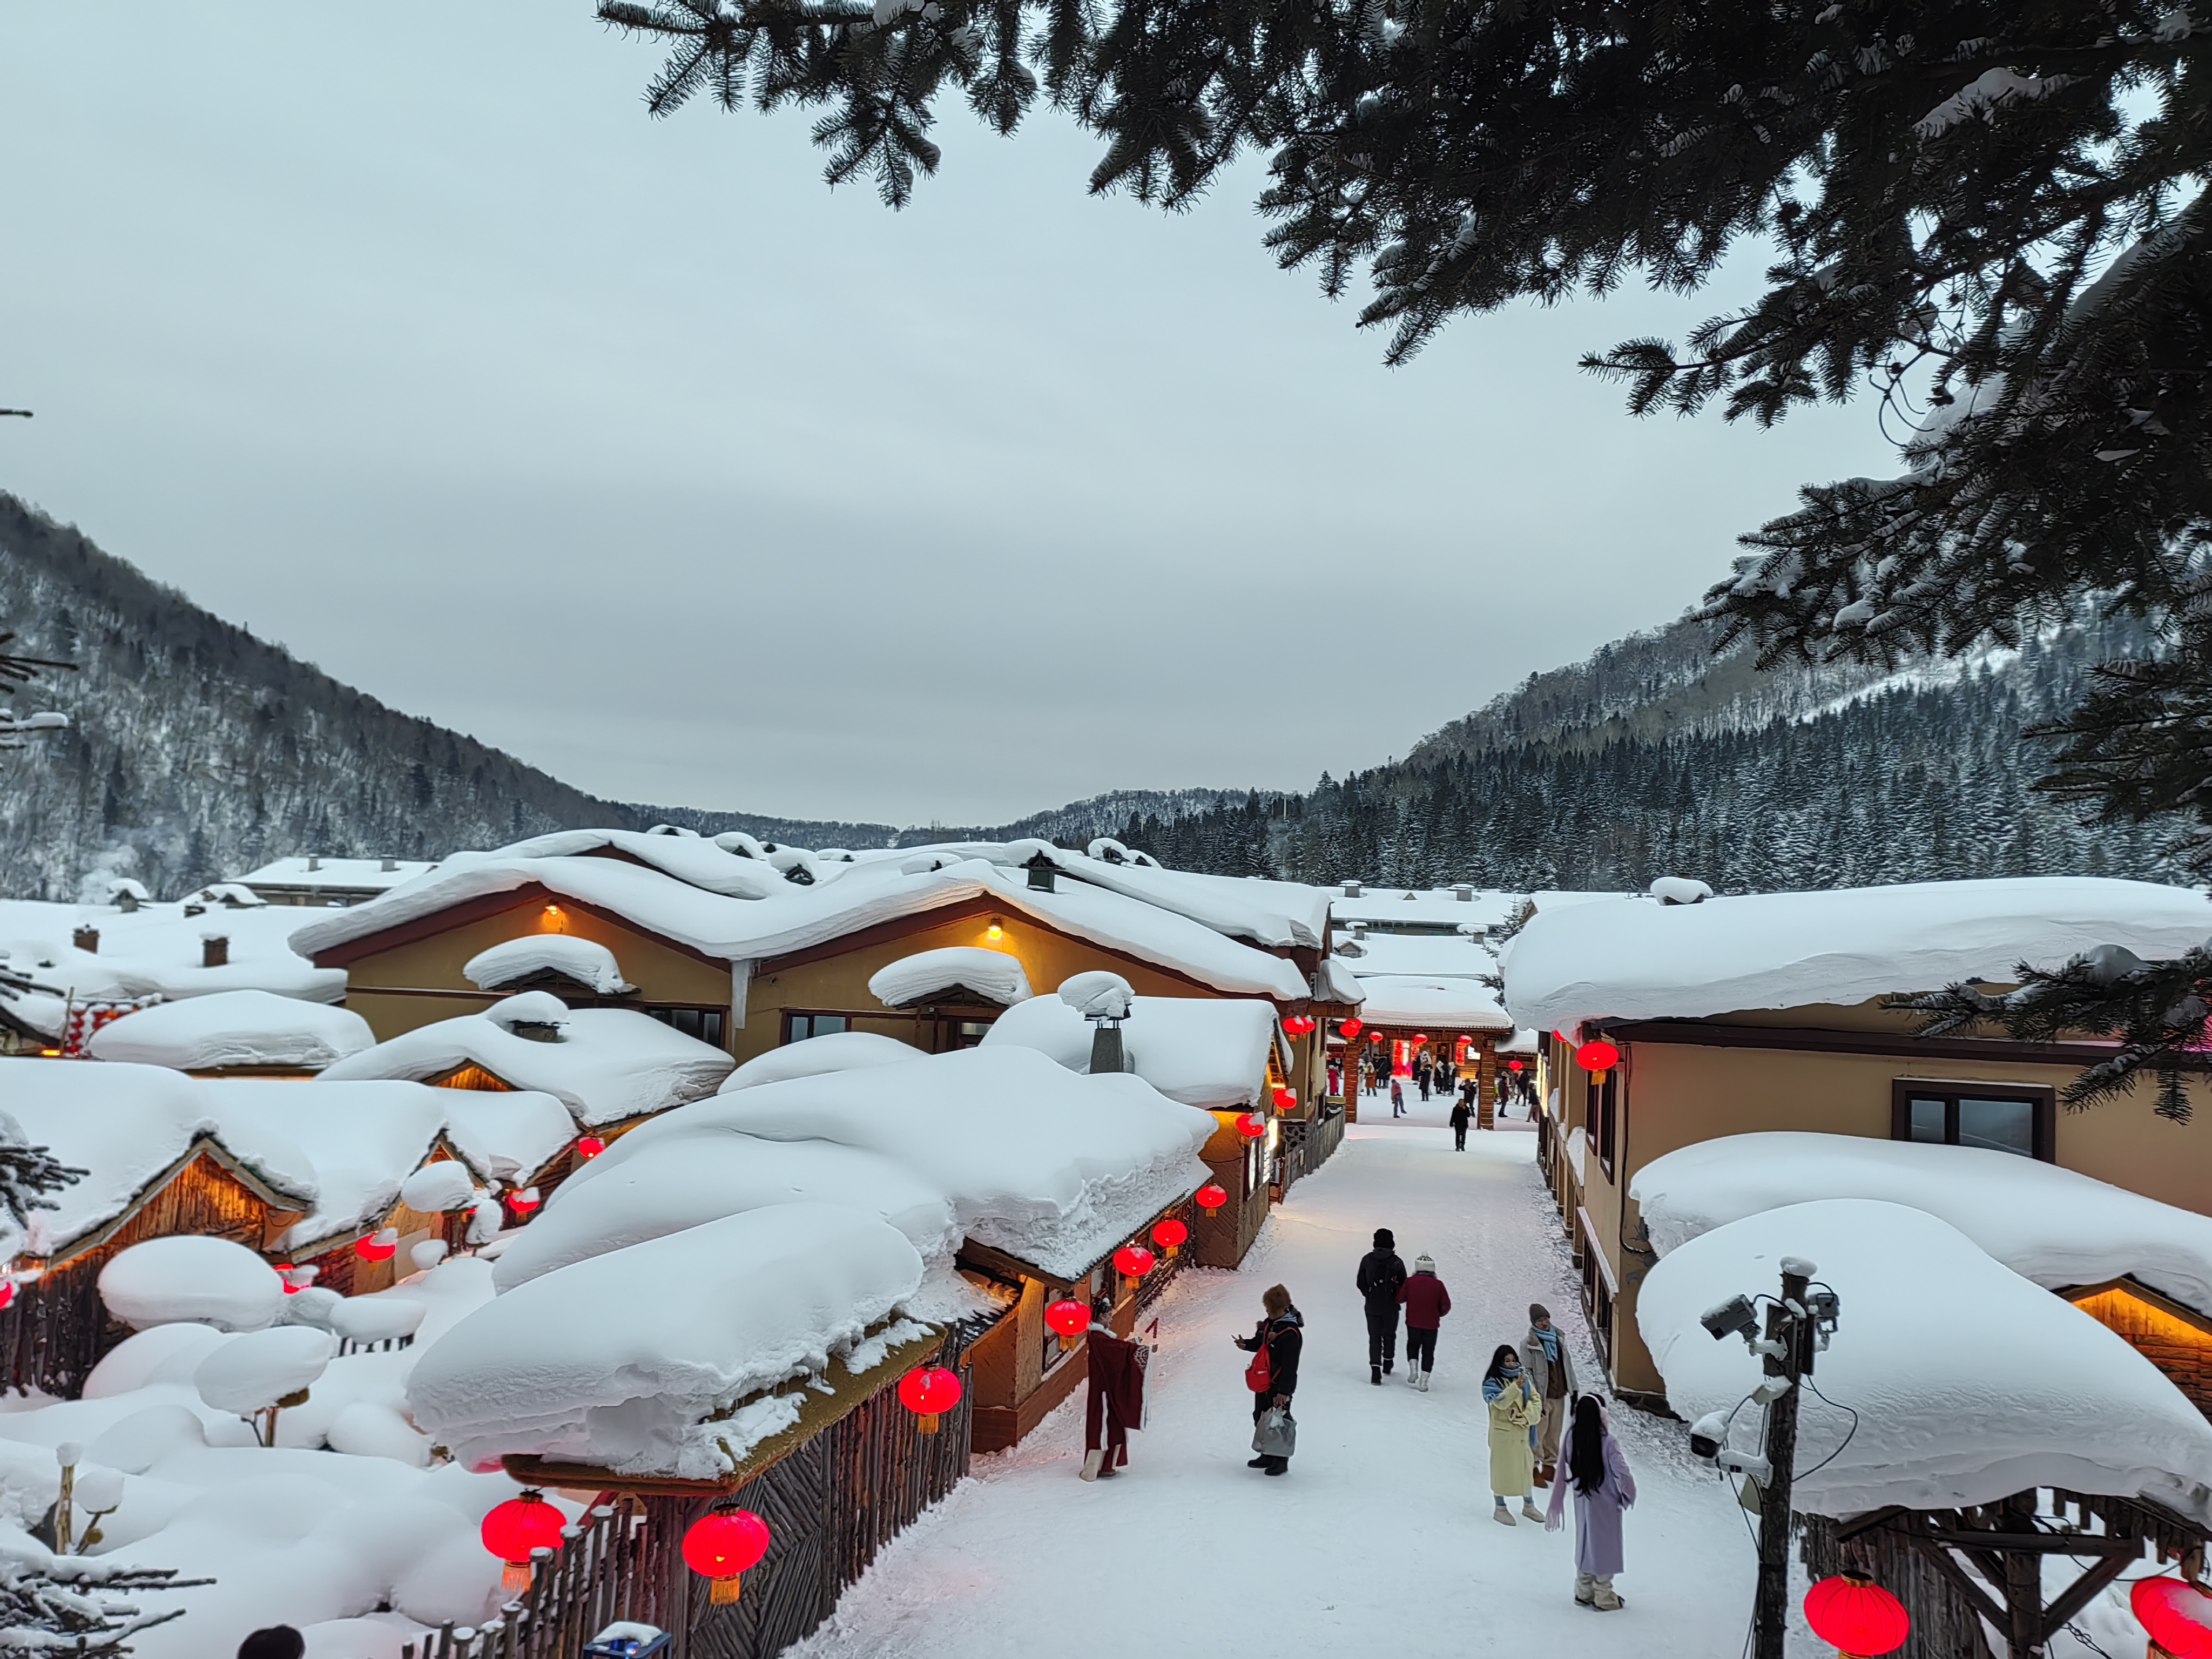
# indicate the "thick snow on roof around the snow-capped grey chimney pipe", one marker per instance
pixel 1202 1052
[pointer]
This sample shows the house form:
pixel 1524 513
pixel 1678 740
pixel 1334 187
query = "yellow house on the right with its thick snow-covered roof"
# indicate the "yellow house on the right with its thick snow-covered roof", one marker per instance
pixel 1766 1012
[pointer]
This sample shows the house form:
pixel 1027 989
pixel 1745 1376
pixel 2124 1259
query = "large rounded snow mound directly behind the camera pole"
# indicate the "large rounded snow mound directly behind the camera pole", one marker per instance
pixel 1970 1384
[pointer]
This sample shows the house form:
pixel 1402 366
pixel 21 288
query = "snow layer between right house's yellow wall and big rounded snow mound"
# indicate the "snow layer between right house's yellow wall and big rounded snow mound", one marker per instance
pixel 2047 1224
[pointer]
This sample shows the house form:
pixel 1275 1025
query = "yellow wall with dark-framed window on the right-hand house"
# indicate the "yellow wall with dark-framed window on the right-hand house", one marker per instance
pixel 1678 1096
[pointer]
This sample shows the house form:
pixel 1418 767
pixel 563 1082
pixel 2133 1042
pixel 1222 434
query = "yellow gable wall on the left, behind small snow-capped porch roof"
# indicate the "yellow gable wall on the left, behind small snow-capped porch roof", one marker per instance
pixel 435 963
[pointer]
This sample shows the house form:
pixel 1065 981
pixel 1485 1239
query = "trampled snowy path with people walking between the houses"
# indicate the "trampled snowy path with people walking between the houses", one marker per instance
pixel 1381 1538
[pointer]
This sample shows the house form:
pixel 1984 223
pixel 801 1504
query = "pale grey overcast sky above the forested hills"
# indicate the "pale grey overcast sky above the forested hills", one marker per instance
pixel 406 337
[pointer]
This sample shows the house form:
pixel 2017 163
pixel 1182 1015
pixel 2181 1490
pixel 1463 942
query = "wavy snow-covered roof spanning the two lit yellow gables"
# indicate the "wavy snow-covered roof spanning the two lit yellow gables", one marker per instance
pixel 738 908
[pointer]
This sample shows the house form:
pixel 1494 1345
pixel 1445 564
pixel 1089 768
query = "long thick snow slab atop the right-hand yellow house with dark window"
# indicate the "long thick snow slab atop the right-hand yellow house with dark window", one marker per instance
pixel 1636 959
